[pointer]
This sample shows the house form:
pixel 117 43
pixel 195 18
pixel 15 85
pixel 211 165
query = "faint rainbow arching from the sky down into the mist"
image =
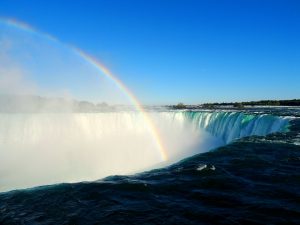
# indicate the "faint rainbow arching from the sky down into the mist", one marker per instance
pixel 103 70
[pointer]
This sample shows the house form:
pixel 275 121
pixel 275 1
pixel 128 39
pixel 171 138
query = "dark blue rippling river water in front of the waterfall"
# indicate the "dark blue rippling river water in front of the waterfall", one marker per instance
pixel 254 180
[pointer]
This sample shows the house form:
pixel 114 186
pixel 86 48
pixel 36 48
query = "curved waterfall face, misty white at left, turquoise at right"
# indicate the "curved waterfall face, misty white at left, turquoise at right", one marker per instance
pixel 47 148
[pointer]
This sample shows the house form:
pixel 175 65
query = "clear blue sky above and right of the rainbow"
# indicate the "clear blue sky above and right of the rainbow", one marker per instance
pixel 169 51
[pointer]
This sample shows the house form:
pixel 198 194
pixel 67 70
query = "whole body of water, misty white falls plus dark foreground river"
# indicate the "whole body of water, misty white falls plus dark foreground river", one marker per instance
pixel 78 168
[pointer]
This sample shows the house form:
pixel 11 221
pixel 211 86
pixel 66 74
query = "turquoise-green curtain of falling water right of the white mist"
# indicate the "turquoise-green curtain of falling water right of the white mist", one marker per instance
pixel 233 125
